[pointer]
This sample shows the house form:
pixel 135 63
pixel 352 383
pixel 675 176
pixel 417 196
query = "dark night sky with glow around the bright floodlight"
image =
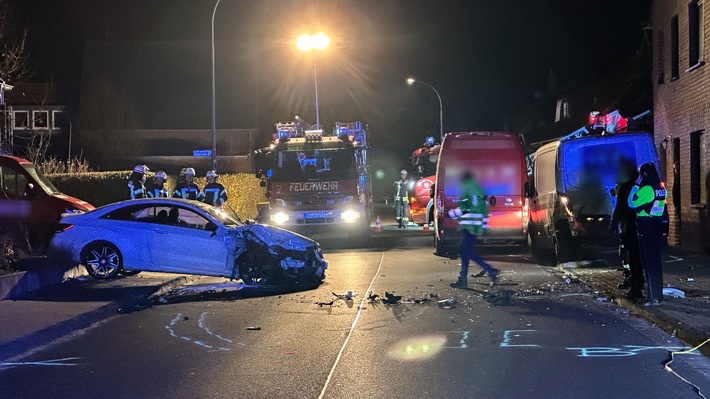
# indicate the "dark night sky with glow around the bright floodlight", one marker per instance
pixel 484 57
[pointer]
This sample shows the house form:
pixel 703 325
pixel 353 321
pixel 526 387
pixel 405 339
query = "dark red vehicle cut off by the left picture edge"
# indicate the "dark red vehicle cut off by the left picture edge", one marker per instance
pixel 30 201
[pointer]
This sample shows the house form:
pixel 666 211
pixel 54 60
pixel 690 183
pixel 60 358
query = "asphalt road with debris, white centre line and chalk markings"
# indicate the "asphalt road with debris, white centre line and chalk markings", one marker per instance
pixel 534 335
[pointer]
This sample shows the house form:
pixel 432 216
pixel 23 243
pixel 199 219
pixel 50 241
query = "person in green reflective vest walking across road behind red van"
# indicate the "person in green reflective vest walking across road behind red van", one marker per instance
pixel 472 215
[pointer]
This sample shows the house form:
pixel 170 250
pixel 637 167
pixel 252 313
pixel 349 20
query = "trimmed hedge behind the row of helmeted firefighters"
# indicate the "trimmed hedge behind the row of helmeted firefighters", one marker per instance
pixel 101 188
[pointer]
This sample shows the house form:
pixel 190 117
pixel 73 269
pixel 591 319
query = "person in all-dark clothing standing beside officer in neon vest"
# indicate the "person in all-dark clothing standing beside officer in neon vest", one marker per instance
pixel 623 222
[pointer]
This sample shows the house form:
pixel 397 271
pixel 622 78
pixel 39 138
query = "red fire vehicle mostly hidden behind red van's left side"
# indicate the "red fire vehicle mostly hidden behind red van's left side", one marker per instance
pixel 421 202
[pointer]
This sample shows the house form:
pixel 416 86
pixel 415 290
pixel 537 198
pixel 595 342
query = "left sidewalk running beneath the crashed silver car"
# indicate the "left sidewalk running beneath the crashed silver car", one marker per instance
pixel 44 304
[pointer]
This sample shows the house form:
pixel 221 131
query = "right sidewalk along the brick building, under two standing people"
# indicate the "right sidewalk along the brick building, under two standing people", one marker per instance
pixel 688 318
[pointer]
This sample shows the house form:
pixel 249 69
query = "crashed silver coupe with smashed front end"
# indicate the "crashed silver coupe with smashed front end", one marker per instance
pixel 183 236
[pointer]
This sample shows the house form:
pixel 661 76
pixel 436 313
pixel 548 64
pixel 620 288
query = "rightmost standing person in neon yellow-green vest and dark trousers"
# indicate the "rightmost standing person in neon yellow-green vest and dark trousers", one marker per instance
pixel 648 199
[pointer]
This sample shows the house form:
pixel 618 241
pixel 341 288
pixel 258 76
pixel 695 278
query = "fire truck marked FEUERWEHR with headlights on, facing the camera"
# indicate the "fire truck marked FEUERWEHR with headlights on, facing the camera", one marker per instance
pixel 316 181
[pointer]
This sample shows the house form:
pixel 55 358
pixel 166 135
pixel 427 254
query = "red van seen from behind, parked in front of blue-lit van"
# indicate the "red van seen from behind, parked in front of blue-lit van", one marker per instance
pixel 498 163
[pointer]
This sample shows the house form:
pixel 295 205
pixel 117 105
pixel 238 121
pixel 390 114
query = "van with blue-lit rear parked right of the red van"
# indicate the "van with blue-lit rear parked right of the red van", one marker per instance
pixel 571 190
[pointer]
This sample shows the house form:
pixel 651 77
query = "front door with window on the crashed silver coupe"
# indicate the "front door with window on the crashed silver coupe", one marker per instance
pixel 182 244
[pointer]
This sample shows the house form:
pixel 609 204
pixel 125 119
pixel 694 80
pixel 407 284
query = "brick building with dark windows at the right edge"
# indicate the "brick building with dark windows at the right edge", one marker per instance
pixel 681 92
